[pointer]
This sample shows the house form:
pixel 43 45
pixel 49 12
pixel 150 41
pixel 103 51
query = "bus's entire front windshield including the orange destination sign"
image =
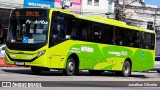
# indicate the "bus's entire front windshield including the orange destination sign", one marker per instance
pixel 28 26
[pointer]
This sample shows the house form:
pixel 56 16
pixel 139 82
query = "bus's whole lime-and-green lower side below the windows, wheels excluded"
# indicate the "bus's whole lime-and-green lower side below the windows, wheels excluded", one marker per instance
pixel 100 56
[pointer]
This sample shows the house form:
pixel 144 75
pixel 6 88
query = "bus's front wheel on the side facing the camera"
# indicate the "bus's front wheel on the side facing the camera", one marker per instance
pixel 70 67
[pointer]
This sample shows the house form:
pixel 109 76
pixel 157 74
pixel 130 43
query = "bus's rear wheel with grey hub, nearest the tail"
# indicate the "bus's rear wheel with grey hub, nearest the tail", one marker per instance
pixel 126 70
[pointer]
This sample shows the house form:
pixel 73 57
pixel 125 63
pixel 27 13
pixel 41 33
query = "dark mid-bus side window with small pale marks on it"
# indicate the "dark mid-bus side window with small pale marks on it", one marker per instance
pixel 101 33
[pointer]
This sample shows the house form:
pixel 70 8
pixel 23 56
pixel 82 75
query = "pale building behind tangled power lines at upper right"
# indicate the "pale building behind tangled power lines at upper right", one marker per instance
pixel 140 15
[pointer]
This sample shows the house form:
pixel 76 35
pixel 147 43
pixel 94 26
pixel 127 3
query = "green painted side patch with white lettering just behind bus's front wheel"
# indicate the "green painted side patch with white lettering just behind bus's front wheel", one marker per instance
pixel 89 55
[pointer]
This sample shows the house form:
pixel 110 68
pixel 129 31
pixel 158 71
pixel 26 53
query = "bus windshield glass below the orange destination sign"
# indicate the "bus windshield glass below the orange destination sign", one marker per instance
pixel 28 30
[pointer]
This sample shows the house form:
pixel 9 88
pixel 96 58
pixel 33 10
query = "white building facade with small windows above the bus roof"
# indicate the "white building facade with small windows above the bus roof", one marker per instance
pixel 104 8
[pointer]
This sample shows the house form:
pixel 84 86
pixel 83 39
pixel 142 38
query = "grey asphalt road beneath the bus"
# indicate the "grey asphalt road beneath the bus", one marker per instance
pixel 84 81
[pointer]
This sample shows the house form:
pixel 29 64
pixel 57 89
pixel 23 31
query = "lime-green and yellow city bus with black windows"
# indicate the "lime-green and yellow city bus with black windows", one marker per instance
pixel 59 39
